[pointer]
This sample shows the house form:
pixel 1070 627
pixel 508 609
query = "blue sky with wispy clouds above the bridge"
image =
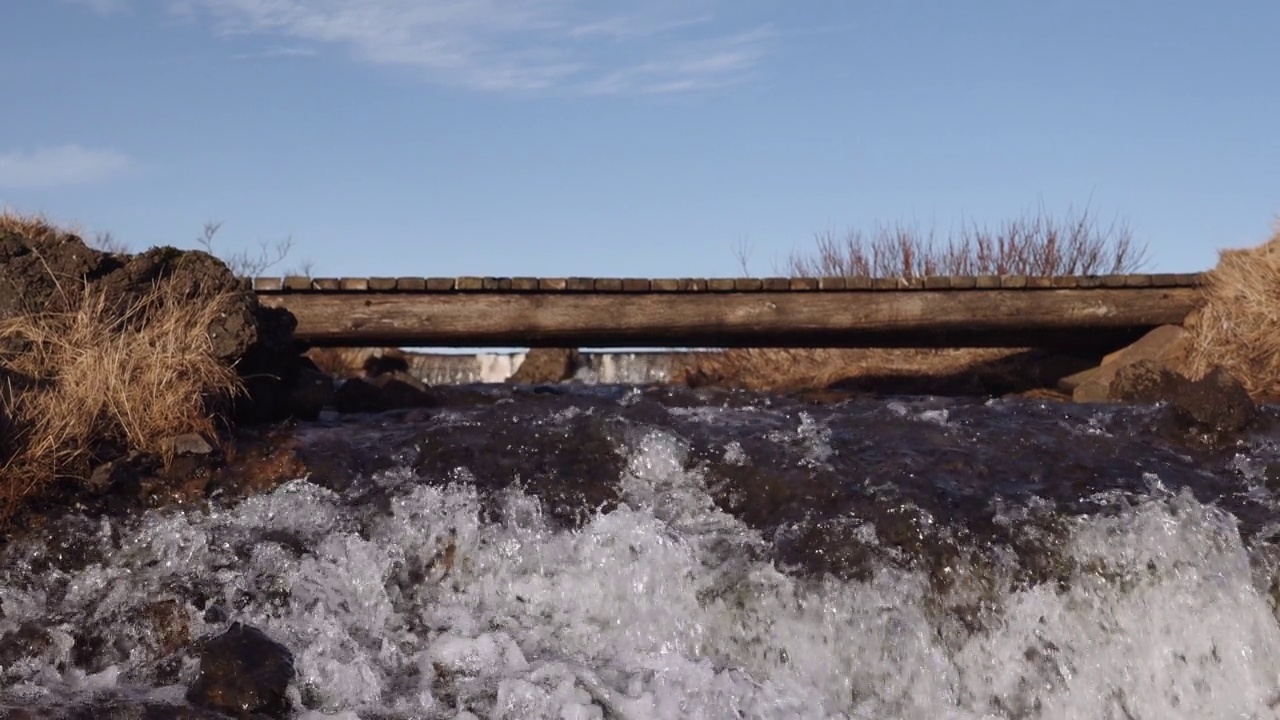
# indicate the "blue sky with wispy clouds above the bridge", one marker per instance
pixel 600 138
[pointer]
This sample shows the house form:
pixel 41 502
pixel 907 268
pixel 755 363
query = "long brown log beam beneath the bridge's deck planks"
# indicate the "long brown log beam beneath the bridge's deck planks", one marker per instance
pixel 918 318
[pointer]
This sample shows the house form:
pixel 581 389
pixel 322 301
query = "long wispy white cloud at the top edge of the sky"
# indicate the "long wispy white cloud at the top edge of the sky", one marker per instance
pixel 586 47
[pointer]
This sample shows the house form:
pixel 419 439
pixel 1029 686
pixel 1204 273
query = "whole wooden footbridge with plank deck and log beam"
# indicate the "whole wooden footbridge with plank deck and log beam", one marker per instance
pixel 1096 312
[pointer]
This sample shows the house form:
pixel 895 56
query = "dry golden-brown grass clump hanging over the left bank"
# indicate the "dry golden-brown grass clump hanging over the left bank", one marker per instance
pixel 93 382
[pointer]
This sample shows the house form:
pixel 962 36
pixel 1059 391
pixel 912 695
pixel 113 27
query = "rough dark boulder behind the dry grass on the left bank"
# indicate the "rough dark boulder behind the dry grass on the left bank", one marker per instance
pixel 45 270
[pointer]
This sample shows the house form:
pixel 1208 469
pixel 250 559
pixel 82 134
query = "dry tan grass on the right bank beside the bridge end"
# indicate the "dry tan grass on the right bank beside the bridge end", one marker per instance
pixel 1238 327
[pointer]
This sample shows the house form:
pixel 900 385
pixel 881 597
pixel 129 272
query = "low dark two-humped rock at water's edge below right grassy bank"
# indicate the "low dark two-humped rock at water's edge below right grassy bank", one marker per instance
pixel 1217 403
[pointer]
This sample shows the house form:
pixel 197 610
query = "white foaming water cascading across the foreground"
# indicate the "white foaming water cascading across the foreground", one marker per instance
pixel 656 610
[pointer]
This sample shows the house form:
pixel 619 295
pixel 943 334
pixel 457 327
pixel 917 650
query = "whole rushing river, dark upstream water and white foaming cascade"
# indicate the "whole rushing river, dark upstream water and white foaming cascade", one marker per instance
pixel 620 553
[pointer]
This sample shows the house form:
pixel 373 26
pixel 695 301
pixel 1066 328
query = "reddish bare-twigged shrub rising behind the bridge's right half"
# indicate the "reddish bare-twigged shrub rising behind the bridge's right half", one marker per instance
pixel 1035 245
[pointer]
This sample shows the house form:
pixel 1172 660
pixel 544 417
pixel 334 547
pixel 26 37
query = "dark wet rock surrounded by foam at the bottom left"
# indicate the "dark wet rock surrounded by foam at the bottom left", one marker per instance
pixel 244 672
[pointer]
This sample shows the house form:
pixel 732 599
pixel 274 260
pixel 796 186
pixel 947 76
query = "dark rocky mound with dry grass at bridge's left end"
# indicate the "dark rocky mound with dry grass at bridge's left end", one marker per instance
pixel 108 357
